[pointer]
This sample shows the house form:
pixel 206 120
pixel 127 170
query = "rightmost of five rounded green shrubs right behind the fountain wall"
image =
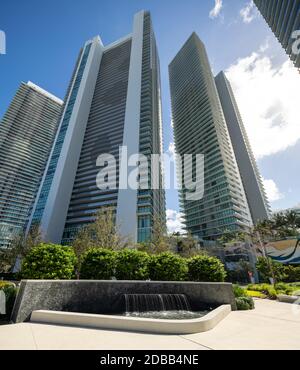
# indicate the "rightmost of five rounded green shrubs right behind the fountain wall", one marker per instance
pixel 206 268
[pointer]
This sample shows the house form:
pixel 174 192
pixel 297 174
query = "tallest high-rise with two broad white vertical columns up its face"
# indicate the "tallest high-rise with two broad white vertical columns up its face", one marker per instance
pixel 114 101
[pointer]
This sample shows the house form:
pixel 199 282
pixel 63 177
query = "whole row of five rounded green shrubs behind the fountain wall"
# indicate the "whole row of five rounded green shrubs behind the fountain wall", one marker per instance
pixel 48 261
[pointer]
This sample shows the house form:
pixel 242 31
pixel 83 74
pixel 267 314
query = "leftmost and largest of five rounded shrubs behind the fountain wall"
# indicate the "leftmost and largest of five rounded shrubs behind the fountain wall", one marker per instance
pixel 49 261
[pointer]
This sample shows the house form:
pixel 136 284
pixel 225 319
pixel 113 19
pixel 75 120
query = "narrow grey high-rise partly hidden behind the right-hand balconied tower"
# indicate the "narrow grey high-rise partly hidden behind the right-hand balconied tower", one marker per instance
pixel 249 171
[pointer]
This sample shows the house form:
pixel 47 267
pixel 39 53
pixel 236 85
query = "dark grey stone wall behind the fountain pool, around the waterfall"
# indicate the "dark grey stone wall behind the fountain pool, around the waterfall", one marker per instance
pixel 106 297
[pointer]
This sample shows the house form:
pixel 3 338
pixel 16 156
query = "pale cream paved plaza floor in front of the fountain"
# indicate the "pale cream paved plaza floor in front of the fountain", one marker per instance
pixel 272 325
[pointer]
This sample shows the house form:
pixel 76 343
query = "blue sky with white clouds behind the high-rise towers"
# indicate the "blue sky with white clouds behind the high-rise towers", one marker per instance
pixel 44 37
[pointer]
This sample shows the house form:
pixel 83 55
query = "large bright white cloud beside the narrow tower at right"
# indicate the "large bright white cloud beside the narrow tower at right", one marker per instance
pixel 268 99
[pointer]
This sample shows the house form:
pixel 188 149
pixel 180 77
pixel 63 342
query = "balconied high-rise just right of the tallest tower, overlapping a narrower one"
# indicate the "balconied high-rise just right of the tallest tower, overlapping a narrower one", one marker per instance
pixel 200 128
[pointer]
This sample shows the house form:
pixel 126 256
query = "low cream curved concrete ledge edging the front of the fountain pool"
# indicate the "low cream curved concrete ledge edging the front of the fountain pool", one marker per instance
pixel 176 327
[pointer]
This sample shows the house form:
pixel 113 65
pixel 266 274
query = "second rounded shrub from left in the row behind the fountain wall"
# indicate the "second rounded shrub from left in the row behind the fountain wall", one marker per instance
pixel 98 264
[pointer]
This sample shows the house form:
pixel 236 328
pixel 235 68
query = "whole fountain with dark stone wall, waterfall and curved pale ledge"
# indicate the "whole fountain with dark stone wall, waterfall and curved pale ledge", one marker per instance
pixel 167 308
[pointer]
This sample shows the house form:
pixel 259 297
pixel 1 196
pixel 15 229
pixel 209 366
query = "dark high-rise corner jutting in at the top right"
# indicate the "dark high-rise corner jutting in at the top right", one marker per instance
pixel 283 17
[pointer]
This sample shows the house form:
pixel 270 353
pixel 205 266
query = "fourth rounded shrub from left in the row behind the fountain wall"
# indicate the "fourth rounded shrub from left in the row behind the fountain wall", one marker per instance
pixel 167 267
